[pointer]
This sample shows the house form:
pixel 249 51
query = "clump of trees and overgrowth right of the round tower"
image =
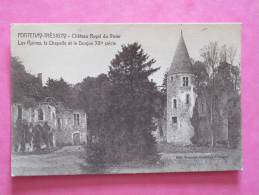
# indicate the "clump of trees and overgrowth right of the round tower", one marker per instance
pixel 218 102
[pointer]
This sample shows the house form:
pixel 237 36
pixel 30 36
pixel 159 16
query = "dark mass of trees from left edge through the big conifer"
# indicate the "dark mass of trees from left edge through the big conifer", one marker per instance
pixel 121 106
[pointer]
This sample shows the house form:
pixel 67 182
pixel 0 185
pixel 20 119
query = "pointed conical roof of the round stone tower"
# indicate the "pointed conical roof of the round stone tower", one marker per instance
pixel 181 61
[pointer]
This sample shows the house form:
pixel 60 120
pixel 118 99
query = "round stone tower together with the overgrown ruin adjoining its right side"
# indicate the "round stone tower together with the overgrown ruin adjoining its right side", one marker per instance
pixel 184 105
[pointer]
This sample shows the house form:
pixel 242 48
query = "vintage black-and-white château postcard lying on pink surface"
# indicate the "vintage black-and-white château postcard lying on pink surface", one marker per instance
pixel 125 98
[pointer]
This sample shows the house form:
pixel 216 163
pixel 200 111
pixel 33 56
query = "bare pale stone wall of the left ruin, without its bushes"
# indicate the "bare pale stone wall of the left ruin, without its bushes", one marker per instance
pixel 61 121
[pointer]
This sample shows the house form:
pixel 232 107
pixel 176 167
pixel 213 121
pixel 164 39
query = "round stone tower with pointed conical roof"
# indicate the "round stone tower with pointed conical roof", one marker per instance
pixel 180 97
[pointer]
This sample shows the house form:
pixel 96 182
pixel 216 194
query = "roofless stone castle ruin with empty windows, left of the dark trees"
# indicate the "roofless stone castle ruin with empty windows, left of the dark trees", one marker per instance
pixel 66 126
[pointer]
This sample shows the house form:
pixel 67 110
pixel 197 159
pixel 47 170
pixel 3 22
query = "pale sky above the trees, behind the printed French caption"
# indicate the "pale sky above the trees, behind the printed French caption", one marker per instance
pixel 74 63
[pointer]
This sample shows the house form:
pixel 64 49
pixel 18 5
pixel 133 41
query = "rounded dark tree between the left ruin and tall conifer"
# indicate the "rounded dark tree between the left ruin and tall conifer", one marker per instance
pixel 94 99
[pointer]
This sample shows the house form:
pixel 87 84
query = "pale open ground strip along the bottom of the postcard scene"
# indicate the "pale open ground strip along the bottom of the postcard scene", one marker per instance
pixel 69 160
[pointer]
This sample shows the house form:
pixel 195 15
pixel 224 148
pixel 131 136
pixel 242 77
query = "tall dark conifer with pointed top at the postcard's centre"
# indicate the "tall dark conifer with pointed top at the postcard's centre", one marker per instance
pixel 132 108
